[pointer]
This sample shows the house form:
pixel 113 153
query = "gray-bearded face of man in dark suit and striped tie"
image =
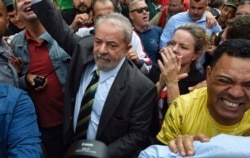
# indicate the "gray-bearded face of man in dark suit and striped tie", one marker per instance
pixel 109 46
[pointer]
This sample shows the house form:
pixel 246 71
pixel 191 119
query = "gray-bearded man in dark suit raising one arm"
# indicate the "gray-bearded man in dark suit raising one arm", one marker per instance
pixel 122 107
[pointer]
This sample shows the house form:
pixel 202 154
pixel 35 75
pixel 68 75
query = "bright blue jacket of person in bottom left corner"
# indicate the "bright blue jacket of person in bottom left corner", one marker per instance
pixel 19 134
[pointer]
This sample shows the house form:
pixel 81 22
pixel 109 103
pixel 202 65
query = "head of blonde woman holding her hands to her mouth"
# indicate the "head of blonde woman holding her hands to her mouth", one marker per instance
pixel 189 41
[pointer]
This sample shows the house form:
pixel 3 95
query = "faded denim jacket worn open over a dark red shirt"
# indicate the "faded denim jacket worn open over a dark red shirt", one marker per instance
pixel 60 59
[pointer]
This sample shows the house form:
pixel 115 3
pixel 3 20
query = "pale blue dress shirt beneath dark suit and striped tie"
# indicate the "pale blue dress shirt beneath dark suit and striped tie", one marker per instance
pixel 104 84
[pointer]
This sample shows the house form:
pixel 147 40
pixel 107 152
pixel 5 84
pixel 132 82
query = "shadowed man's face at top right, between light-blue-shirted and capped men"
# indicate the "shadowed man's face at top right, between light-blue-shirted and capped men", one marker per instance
pixel 227 12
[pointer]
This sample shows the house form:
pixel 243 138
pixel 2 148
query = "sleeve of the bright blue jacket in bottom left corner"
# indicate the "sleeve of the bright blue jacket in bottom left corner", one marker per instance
pixel 23 135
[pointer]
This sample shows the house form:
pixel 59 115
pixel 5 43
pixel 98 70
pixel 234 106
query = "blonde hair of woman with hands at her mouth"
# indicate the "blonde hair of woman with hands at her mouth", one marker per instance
pixel 199 34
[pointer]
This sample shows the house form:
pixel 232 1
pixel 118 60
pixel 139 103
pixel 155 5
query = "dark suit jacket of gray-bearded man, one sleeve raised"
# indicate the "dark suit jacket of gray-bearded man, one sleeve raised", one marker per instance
pixel 126 116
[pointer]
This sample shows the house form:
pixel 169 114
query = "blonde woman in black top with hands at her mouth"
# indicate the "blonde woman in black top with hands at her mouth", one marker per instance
pixel 177 70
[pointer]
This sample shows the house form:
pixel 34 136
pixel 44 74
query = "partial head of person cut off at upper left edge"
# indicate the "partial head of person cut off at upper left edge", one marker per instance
pixel 3 19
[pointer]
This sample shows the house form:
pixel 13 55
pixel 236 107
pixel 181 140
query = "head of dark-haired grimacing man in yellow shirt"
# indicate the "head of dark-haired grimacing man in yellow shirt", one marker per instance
pixel 228 81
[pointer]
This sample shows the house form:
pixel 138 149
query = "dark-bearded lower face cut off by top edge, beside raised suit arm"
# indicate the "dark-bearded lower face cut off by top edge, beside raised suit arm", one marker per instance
pixel 82 6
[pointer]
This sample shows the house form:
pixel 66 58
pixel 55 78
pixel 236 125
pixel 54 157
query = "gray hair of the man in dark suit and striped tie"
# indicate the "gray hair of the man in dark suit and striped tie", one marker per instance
pixel 117 20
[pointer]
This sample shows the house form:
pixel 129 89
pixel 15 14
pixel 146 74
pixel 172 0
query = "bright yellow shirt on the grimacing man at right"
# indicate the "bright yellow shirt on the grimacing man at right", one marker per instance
pixel 188 114
